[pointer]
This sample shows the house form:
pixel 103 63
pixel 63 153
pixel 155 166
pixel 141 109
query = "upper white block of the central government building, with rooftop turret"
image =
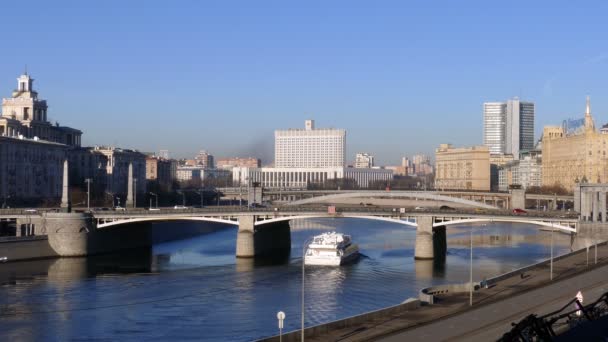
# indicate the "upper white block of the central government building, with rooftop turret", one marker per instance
pixel 310 147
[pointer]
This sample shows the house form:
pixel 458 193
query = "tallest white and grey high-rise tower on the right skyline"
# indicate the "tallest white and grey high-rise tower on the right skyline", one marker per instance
pixel 508 127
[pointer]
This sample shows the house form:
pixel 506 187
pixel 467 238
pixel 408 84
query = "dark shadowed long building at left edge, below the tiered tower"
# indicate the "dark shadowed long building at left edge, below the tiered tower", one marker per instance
pixel 30 169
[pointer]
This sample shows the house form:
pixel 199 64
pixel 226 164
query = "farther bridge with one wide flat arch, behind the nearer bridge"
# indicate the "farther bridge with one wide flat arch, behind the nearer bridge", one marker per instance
pixel 503 200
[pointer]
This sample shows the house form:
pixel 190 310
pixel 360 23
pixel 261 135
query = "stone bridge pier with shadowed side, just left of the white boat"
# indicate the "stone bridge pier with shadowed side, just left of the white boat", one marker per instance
pixel 270 239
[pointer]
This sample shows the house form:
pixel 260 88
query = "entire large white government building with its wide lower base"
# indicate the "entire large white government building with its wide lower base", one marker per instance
pixel 308 156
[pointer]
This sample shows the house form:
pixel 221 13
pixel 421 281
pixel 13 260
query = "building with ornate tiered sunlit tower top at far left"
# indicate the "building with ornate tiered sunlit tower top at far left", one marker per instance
pixel 24 114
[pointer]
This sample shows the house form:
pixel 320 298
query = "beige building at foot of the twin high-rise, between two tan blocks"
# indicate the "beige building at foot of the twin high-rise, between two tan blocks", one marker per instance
pixel 524 172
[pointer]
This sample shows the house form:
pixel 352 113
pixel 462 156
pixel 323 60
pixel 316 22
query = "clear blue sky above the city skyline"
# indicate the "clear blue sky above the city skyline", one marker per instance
pixel 399 76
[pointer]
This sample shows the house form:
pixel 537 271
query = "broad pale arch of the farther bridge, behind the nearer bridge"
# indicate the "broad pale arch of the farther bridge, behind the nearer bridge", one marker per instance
pixel 395 194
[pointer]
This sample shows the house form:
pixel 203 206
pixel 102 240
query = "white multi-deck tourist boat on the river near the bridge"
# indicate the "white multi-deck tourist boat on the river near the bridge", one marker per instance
pixel 331 249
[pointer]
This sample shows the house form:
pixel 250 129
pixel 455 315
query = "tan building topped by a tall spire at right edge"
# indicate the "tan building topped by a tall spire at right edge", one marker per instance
pixel 571 158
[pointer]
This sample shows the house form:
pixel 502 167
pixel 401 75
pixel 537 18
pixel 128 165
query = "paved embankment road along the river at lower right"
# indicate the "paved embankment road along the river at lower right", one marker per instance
pixel 493 309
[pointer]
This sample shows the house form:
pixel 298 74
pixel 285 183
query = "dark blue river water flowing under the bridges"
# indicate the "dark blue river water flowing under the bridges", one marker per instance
pixel 195 289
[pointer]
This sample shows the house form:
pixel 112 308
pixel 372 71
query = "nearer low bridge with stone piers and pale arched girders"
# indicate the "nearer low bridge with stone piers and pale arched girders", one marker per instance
pixel 261 231
